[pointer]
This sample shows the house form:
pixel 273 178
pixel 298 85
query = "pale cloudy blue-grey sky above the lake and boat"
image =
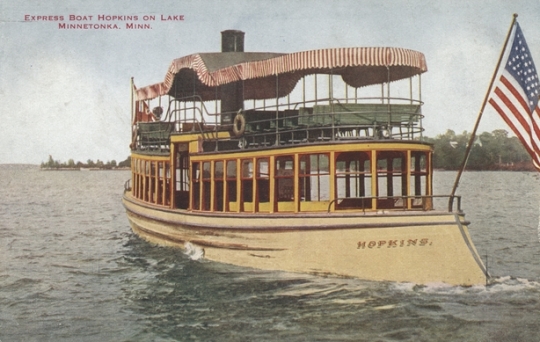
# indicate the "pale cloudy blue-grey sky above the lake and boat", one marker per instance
pixel 66 92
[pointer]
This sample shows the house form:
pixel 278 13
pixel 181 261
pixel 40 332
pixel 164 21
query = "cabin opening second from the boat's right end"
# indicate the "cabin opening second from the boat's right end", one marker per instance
pixel 391 179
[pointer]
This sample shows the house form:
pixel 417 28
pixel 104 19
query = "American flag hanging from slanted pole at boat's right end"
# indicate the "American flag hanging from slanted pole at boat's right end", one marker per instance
pixel 516 96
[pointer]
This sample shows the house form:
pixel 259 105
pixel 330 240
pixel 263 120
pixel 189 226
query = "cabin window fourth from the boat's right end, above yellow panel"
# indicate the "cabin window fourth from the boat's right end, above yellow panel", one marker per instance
pixel 314 178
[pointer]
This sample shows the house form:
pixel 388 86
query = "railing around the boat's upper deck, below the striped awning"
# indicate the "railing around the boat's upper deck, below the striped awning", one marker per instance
pixel 278 124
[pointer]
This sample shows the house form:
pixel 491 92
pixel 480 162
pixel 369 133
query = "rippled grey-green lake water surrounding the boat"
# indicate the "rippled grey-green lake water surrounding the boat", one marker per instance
pixel 72 270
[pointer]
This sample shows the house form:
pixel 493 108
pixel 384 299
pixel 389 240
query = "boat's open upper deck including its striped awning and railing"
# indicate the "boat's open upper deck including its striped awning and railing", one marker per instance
pixel 234 100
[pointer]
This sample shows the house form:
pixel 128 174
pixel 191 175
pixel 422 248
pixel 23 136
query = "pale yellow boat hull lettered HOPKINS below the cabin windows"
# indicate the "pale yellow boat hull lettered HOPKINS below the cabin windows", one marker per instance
pixel 418 247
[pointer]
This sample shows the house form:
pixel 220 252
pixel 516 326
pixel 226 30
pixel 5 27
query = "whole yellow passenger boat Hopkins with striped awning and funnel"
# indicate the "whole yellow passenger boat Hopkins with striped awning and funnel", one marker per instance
pixel 310 162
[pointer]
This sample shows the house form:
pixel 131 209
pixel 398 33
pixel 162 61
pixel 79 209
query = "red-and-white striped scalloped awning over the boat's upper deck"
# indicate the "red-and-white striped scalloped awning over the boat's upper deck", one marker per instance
pixel 266 75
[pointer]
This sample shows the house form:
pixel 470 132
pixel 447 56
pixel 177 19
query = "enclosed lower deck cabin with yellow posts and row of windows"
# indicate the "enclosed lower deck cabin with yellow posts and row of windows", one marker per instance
pixel 321 178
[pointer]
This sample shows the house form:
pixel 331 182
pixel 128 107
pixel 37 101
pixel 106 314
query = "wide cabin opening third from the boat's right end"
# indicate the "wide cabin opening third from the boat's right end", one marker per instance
pixel 353 180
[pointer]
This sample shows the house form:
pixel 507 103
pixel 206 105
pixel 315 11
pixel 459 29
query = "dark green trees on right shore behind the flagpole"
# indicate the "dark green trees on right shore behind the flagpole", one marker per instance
pixel 490 151
